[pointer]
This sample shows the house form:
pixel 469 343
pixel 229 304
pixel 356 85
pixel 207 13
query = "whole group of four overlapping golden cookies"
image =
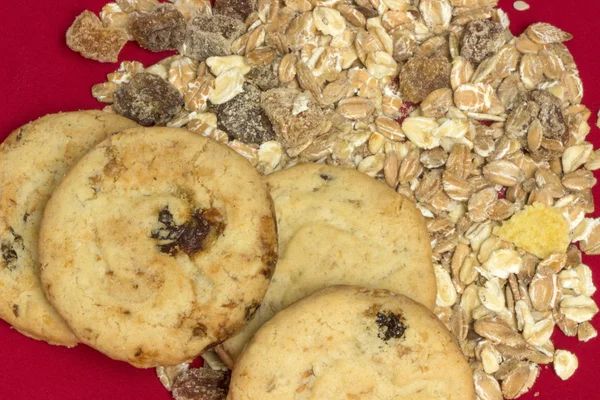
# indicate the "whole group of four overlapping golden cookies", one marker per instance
pixel 153 245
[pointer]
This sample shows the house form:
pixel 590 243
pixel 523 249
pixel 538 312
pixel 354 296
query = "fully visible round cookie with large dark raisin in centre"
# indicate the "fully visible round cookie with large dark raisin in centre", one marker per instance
pixel 157 245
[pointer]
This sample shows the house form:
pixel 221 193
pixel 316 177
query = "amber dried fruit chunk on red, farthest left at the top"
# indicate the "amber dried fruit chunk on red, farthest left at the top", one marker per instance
pixel 88 37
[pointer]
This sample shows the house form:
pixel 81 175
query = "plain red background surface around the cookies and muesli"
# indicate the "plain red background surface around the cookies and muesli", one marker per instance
pixel 40 75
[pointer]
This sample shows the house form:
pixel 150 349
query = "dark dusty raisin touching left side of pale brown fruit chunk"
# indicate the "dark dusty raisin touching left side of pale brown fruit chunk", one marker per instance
pixel 243 119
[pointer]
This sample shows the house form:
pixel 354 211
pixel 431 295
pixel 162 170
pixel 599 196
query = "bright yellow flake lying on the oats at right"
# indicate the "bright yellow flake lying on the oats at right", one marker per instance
pixel 538 229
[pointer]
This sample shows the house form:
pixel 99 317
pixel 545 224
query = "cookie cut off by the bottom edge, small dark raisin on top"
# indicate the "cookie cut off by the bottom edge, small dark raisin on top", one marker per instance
pixel 348 342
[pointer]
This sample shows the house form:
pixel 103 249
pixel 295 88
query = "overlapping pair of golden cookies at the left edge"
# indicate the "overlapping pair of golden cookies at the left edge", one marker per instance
pixel 149 245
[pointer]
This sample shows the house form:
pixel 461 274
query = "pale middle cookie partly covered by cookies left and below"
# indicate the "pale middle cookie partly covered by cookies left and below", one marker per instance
pixel 339 226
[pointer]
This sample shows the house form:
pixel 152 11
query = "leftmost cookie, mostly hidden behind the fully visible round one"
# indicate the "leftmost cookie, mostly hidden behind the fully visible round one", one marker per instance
pixel 33 159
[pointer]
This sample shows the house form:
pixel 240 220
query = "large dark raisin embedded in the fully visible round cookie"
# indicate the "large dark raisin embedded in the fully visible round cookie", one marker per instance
pixel 191 237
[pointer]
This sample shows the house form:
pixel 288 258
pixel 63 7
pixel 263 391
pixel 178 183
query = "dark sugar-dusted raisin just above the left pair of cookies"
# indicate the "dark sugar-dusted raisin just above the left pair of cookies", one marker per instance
pixel 148 99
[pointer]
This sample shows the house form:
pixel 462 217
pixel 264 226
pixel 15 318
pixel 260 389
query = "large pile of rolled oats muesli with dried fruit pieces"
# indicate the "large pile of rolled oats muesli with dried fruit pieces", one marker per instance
pixel 483 130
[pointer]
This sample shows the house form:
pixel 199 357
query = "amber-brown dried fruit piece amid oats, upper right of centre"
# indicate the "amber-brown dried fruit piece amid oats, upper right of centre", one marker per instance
pixel 422 75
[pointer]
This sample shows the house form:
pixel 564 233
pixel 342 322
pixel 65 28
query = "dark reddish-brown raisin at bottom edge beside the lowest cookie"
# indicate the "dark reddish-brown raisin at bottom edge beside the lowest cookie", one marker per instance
pixel 201 384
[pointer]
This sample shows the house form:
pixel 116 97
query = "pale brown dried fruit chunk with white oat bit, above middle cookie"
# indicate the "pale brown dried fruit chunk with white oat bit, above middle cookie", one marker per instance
pixel 294 130
